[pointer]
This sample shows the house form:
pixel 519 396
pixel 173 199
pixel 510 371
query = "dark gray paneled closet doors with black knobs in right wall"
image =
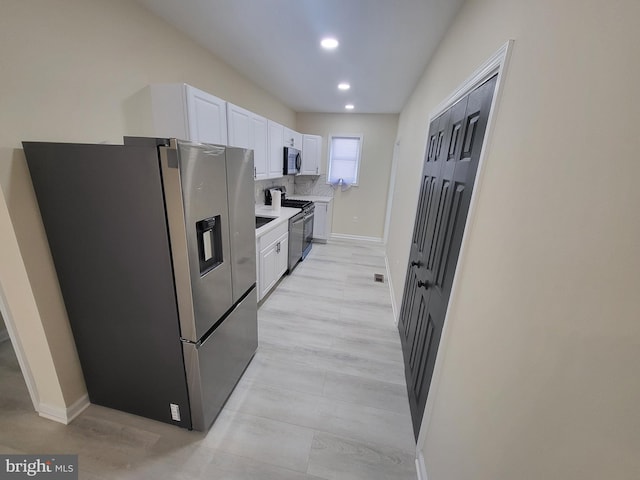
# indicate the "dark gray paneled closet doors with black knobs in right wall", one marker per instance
pixel 451 161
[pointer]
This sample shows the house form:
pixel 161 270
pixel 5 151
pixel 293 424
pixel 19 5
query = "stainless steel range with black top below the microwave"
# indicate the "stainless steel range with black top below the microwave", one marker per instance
pixel 300 227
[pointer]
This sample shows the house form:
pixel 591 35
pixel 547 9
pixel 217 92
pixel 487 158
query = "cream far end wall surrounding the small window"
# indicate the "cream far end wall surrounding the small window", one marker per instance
pixel 359 211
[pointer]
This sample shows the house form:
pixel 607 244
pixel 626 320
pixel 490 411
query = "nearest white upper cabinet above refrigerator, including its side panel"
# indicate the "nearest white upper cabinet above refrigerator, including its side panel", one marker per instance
pixel 185 112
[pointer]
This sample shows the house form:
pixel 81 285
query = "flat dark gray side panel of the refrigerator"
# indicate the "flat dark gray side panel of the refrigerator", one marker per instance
pixel 103 210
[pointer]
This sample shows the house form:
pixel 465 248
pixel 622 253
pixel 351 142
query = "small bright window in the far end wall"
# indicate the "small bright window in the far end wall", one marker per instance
pixel 344 159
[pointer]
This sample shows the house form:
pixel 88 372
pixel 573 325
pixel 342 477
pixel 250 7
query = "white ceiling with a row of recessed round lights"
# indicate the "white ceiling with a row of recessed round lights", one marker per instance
pixel 384 45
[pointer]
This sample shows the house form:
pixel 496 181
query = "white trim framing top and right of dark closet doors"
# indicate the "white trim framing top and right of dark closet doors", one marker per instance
pixel 496 64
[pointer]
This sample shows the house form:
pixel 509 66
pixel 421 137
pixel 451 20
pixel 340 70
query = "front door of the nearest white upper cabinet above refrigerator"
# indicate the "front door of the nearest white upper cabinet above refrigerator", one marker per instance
pixel 207 117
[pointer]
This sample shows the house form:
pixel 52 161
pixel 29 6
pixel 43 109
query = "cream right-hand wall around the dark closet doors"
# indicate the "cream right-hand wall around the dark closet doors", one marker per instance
pixel 540 376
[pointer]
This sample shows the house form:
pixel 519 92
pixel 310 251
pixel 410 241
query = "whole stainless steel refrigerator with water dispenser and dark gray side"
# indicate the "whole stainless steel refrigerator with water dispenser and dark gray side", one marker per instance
pixel 153 242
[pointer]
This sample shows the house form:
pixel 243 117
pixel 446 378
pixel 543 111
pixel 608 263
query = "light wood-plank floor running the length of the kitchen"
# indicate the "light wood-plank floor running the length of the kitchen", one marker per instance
pixel 323 398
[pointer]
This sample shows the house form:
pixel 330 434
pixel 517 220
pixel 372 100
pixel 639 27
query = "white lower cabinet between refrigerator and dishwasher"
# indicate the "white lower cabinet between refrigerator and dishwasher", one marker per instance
pixel 273 254
